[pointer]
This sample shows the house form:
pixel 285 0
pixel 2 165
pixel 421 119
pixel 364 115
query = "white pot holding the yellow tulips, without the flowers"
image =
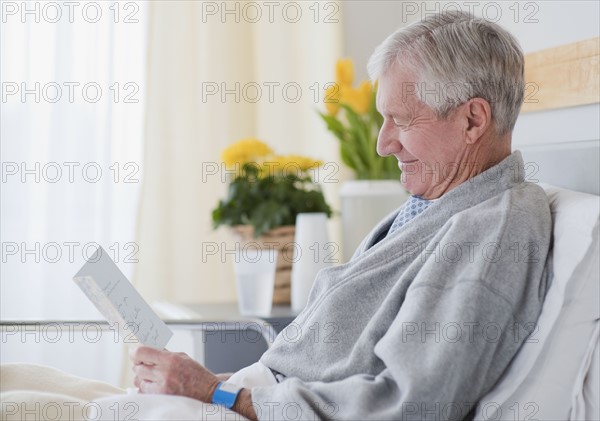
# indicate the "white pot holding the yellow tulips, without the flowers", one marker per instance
pixel 364 203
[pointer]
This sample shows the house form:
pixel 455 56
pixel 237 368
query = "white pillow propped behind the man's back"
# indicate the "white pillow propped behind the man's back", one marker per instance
pixel 544 380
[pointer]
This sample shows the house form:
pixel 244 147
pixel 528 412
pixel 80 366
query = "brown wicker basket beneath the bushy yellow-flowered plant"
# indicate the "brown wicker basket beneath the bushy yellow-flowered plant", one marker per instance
pixel 281 239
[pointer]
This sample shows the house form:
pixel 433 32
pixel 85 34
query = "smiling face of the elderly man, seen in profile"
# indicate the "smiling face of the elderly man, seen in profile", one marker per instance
pixel 428 149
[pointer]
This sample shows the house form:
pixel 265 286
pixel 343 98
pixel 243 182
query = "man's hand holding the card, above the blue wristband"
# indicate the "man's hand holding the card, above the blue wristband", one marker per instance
pixel 172 374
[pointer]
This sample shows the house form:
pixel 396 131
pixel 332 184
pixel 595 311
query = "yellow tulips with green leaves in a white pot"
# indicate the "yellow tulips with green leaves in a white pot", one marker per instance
pixel 353 119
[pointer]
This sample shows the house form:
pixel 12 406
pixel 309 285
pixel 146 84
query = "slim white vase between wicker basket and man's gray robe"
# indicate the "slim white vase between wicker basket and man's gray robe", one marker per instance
pixel 311 254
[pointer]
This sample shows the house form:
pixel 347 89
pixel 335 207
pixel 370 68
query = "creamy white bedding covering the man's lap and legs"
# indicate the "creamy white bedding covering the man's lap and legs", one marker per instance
pixel 30 391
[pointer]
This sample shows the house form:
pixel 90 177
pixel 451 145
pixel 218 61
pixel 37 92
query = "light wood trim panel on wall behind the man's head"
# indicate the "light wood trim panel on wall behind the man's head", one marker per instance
pixel 563 76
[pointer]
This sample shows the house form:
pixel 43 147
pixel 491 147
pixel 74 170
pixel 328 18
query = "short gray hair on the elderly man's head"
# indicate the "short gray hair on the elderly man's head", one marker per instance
pixel 456 57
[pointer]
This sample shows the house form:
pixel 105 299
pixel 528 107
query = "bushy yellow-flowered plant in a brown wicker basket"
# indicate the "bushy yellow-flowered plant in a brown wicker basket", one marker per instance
pixel 266 193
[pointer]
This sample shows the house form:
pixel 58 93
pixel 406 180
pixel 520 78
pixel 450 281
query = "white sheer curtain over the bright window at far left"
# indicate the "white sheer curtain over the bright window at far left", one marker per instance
pixel 71 141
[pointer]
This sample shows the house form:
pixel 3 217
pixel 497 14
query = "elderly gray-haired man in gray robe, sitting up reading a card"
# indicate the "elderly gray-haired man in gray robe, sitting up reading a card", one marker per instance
pixel 439 297
